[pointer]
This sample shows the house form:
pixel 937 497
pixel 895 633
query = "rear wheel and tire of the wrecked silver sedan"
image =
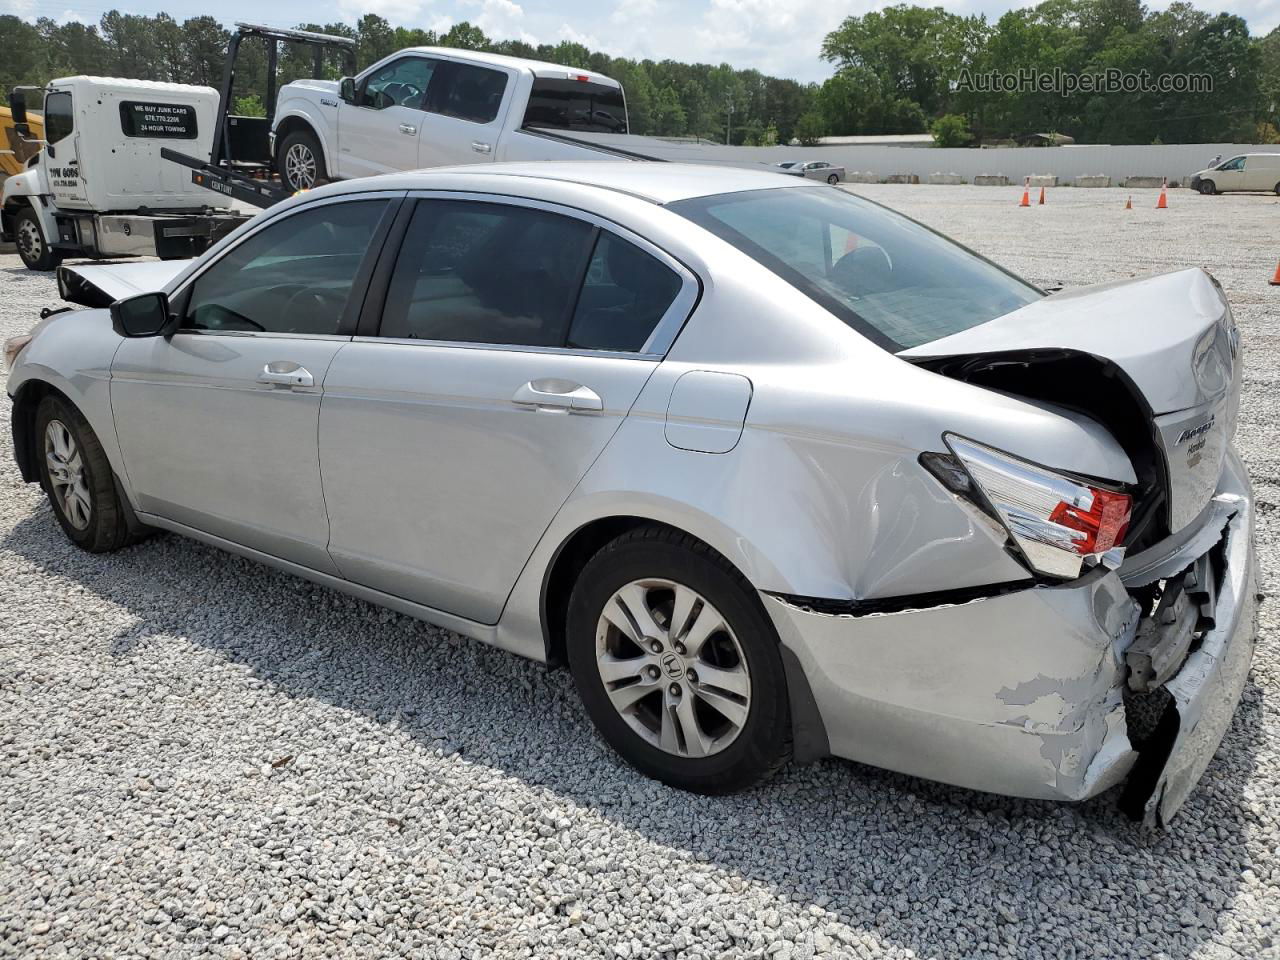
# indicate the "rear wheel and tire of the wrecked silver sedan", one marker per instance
pixel 678 664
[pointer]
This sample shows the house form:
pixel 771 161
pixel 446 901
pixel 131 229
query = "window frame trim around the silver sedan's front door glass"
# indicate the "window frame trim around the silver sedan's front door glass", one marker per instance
pixel 360 284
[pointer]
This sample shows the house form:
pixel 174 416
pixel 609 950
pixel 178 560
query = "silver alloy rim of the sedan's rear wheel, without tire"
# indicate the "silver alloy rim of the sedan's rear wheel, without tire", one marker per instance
pixel 673 668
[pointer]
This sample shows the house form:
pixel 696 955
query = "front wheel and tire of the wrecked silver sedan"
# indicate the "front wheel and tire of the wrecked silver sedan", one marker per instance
pixel 77 478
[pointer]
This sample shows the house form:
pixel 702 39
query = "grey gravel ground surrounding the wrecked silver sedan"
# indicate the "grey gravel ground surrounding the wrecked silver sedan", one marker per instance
pixel 203 757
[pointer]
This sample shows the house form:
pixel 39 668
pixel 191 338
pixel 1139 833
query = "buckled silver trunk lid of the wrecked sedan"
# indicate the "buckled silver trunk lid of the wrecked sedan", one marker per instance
pixel 1169 340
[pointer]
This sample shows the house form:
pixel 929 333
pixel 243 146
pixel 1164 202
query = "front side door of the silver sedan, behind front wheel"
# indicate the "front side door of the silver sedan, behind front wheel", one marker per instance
pixel 218 423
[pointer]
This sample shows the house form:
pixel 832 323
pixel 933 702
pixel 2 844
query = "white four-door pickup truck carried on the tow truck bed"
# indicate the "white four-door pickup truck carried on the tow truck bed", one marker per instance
pixel 437 107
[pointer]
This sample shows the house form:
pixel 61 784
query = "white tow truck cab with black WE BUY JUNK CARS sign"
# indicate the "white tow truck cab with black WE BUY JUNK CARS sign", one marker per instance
pixel 99 188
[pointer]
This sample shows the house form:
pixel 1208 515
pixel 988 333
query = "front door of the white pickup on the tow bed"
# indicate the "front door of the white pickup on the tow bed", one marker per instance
pixel 380 131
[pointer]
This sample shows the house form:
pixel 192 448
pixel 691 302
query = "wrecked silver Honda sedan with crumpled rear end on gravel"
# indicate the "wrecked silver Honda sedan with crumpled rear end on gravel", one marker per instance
pixel 776 472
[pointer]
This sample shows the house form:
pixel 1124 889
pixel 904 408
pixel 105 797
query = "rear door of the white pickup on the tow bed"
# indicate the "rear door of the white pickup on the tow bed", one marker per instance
pixel 465 112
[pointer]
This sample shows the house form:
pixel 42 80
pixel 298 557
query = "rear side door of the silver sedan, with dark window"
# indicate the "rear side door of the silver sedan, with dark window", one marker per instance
pixel 513 340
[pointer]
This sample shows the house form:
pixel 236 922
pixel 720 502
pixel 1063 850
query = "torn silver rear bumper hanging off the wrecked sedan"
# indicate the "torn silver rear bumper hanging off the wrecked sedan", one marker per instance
pixel 1025 693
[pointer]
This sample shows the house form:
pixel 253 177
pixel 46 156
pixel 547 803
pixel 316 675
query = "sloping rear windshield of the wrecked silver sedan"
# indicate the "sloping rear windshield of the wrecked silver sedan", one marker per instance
pixel 890 278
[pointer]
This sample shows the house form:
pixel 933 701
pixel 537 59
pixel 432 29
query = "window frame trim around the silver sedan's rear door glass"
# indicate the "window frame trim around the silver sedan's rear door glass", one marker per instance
pixel 656 349
